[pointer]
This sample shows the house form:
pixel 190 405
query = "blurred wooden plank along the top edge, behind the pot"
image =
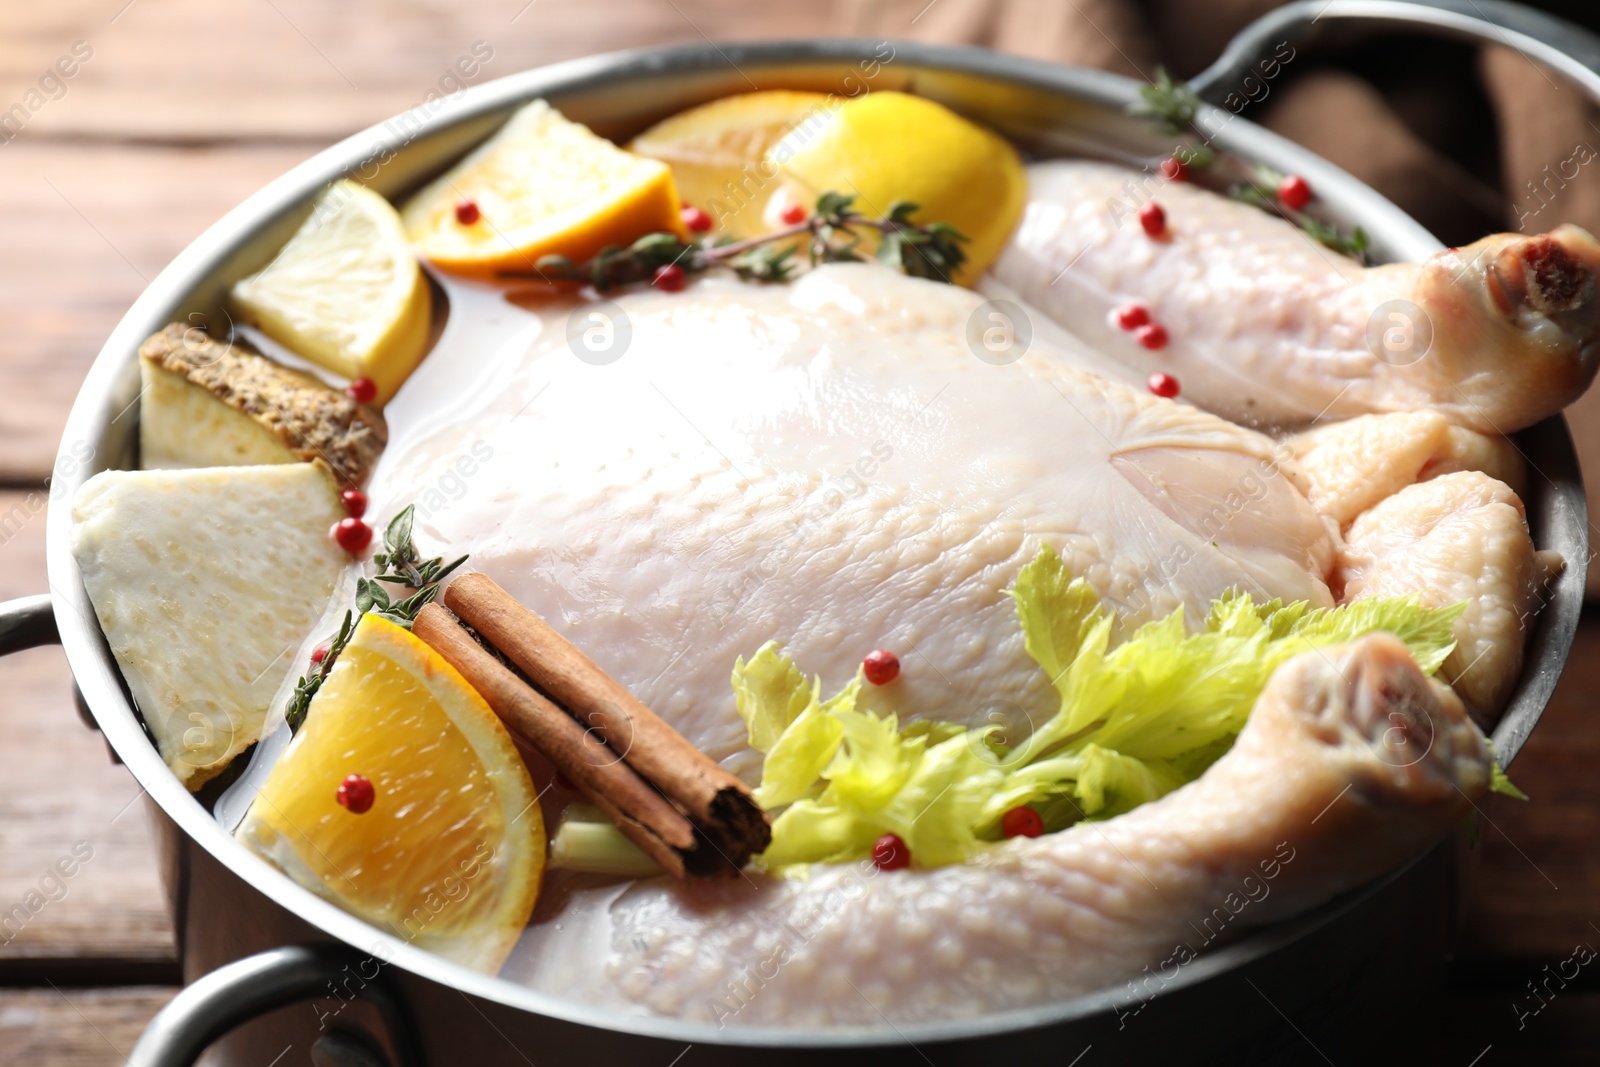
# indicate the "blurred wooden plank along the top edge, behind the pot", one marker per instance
pixel 186 70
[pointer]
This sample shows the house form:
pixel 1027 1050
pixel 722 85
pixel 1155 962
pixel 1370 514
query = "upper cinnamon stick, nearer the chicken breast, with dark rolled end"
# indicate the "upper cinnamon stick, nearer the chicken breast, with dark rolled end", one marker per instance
pixel 714 801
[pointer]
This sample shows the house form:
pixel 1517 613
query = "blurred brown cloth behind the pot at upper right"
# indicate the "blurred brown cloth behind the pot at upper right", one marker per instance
pixel 1468 140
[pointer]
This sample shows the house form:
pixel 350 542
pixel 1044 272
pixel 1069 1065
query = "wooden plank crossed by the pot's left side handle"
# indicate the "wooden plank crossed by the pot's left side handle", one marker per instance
pixel 65 802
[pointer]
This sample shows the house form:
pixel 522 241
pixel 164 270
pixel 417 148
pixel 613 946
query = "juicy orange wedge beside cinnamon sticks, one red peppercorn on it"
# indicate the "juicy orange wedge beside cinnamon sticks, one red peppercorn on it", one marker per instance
pixel 450 853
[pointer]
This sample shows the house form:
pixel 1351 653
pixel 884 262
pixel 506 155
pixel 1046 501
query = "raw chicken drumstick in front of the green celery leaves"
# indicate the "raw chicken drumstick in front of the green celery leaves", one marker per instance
pixel 1351 764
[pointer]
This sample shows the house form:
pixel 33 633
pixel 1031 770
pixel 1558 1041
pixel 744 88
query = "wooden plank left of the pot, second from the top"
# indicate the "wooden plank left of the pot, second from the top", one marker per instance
pixel 97 223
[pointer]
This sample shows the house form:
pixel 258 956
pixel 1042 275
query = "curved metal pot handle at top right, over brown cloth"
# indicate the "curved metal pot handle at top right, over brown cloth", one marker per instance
pixel 1558 44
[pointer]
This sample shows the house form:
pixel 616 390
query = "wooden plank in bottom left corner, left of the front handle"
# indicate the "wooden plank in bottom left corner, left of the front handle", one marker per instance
pixel 47 1028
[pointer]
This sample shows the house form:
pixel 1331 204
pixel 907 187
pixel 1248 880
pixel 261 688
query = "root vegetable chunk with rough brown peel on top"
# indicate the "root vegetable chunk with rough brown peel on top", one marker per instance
pixel 220 404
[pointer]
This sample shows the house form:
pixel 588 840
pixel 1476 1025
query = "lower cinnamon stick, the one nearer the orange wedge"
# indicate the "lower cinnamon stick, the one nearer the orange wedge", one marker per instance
pixel 642 813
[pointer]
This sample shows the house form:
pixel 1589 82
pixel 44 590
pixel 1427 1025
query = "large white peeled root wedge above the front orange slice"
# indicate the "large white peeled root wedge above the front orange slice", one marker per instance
pixel 206 583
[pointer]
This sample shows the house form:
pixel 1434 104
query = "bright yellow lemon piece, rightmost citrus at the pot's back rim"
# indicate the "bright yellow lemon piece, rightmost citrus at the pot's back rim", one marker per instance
pixel 892 146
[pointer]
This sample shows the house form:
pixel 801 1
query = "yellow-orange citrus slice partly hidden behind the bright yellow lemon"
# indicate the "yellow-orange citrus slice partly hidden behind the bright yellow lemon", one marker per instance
pixel 718 151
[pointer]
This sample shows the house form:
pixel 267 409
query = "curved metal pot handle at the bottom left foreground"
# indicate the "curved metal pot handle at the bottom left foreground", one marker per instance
pixel 238 993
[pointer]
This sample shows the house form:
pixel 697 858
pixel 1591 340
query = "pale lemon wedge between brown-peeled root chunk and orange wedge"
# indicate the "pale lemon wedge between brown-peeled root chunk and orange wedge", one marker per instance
pixel 346 292
